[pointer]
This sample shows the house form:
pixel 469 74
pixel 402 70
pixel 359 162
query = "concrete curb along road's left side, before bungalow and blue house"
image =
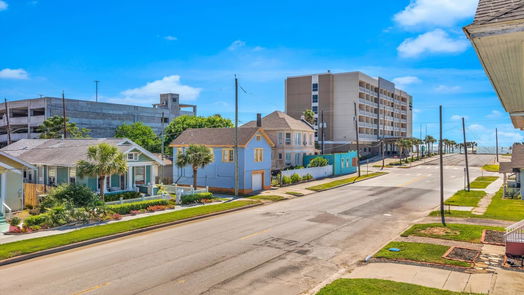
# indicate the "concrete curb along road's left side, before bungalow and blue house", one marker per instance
pixel 116 236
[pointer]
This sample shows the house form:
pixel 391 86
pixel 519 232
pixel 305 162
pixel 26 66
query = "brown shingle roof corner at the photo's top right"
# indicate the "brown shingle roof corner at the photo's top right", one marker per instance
pixel 493 11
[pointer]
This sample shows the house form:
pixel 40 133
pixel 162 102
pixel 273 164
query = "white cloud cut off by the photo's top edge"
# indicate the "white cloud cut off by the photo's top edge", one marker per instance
pixel 435 13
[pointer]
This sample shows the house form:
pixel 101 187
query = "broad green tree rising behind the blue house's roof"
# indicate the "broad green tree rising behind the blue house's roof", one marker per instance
pixel 178 125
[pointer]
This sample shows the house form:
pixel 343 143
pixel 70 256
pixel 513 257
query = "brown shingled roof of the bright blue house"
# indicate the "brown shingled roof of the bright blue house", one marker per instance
pixel 218 137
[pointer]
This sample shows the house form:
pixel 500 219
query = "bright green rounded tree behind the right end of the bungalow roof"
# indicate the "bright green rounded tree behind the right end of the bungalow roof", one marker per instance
pixel 141 134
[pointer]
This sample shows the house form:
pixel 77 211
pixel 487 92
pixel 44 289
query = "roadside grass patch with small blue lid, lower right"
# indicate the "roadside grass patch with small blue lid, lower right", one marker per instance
pixel 419 252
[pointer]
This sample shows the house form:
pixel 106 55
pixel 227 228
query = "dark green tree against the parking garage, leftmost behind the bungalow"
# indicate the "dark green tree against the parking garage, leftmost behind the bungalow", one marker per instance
pixel 53 127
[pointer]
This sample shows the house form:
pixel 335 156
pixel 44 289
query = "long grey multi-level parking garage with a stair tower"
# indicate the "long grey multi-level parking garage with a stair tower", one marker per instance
pixel 101 118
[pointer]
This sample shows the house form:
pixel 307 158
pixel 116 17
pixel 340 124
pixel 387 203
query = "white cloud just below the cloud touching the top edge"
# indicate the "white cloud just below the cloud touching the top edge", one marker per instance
pixel 436 41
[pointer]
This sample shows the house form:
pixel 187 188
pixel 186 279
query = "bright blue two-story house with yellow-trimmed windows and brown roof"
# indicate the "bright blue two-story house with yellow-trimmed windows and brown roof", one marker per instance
pixel 254 159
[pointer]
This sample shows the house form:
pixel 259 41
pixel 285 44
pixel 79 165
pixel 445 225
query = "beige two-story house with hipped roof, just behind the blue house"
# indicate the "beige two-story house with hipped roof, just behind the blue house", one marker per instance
pixel 293 138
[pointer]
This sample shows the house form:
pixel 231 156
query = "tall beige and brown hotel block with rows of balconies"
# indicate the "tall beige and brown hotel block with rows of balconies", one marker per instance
pixel 383 112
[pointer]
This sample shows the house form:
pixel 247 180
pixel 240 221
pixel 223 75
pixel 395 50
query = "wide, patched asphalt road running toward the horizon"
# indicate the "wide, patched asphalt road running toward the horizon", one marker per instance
pixel 283 248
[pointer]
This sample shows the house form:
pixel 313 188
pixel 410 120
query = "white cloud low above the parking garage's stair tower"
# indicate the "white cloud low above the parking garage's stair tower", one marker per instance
pixel 151 91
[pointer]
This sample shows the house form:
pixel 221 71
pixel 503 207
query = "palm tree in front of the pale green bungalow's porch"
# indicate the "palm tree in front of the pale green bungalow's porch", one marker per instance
pixel 102 160
